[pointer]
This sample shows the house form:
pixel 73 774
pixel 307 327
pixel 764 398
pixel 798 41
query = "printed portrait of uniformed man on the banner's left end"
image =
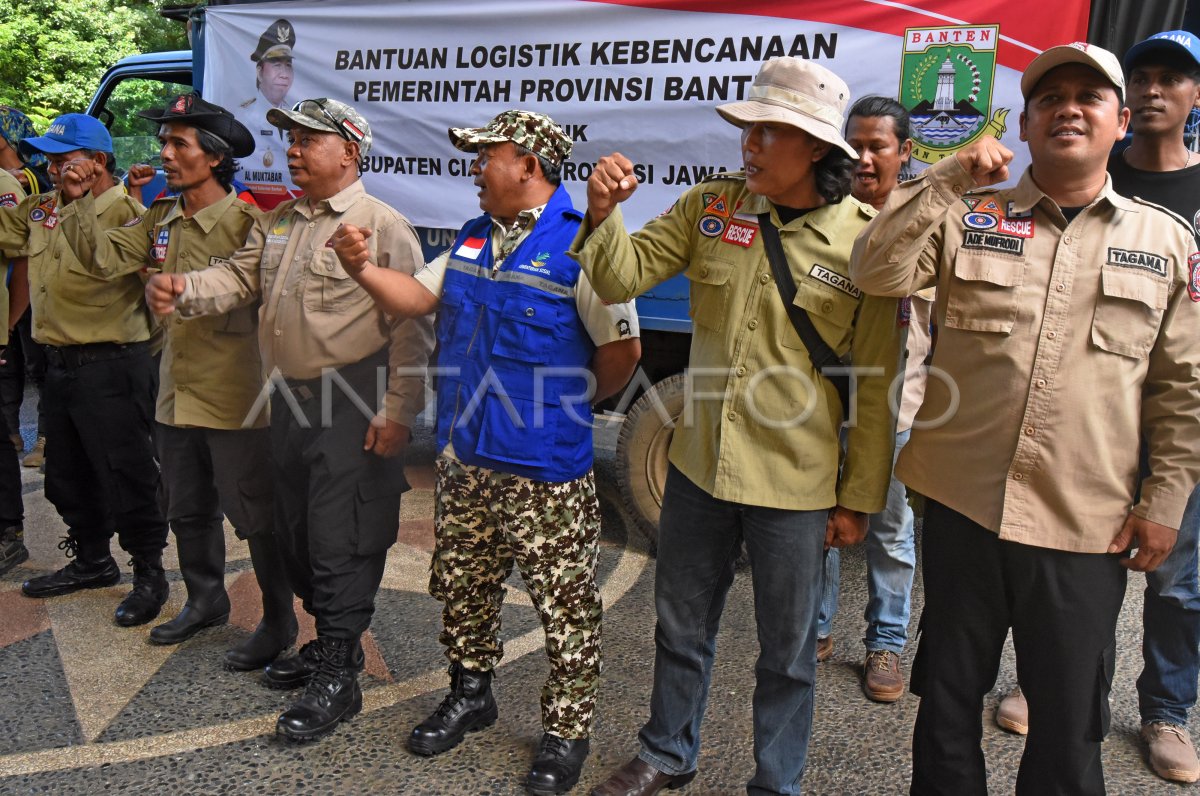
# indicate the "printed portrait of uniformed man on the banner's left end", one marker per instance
pixel 266 173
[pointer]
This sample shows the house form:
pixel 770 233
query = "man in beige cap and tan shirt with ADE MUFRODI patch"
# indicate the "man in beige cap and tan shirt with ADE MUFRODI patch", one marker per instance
pixel 1067 320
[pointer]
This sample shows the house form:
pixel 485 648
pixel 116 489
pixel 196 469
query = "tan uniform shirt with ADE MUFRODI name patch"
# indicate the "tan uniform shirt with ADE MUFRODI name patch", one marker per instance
pixel 1059 344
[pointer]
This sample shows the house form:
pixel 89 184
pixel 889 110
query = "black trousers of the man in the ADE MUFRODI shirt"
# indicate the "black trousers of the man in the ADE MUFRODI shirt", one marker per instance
pixel 1063 608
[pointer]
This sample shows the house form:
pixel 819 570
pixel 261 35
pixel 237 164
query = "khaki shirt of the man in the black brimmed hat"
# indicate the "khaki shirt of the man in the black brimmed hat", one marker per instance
pixel 211 374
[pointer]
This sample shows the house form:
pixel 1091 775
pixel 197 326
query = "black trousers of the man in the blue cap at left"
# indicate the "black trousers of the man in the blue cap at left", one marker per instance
pixel 101 472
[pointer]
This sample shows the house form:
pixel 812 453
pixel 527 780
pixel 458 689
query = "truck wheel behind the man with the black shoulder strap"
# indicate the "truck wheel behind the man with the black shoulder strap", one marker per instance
pixel 643 453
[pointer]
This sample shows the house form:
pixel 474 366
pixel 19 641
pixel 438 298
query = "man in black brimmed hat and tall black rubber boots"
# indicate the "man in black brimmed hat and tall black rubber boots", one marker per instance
pixel 213 441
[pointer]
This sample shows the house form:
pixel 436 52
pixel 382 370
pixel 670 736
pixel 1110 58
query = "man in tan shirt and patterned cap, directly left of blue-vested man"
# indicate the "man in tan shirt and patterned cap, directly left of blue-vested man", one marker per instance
pixel 335 442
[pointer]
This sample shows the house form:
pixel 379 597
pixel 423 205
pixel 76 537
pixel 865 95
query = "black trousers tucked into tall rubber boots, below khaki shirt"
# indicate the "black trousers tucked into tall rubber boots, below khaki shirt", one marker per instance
pixel 212 474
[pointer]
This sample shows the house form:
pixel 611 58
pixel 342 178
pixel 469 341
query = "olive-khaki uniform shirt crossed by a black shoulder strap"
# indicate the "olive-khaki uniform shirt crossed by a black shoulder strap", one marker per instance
pixel 754 430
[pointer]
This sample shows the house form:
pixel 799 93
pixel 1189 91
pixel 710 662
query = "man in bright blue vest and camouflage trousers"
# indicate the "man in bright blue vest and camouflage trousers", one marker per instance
pixel 526 348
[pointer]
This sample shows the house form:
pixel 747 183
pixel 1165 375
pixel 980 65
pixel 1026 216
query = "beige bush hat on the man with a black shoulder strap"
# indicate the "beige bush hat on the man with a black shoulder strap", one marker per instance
pixel 799 93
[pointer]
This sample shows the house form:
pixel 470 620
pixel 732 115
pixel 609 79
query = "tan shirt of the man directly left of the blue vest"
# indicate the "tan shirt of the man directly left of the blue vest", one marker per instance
pixel 314 316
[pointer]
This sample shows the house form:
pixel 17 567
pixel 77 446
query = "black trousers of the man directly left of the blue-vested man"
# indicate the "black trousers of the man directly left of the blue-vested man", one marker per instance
pixel 337 506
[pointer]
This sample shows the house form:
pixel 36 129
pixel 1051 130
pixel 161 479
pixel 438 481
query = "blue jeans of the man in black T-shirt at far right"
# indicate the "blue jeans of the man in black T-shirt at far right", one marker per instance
pixel 1171 620
